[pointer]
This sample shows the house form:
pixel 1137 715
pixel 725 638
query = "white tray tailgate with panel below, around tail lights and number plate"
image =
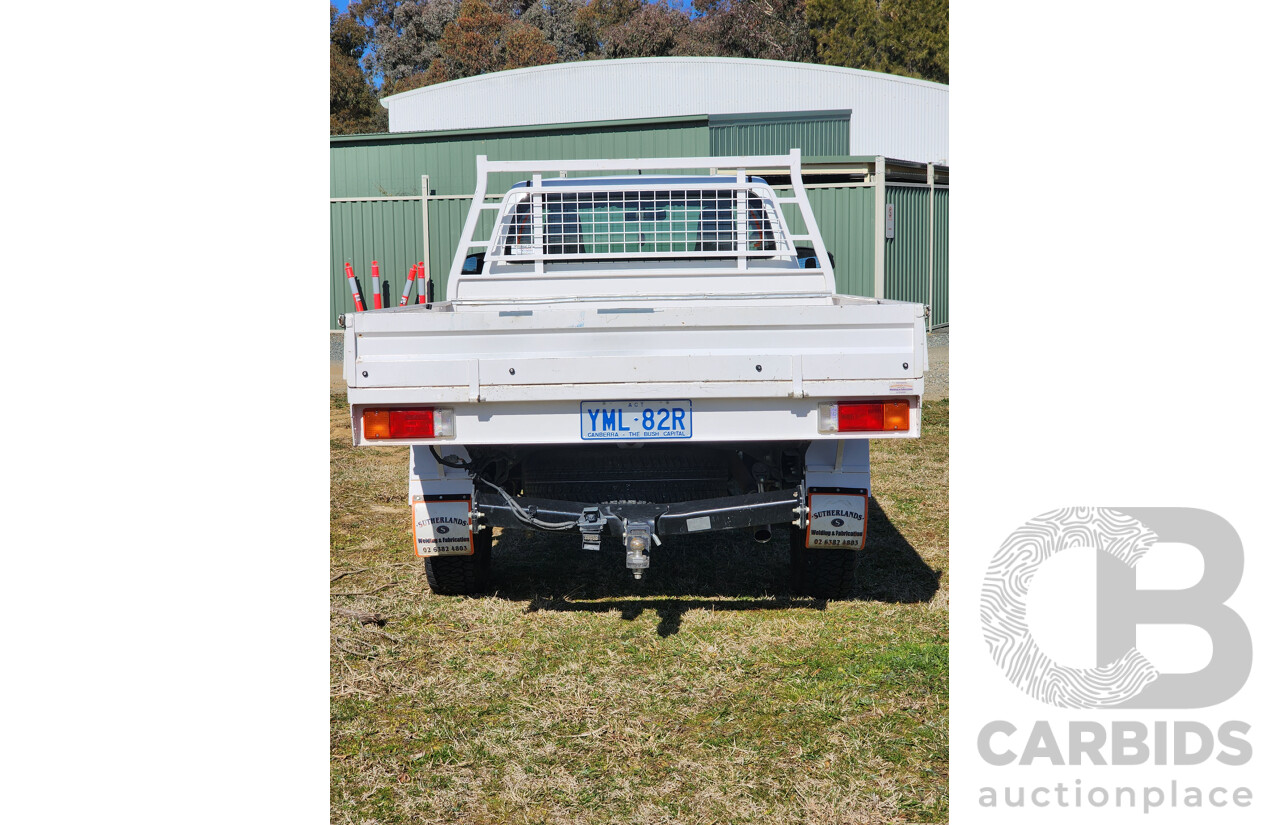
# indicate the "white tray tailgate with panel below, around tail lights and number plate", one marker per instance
pixel 749 373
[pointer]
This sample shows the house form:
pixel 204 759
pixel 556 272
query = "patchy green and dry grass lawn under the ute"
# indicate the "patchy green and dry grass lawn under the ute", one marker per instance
pixel 573 694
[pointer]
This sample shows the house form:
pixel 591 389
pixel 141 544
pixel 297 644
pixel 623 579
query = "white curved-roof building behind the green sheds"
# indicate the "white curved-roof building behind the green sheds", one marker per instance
pixel 894 117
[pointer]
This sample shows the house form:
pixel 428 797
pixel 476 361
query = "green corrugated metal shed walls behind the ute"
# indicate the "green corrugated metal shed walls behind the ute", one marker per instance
pixel 391 167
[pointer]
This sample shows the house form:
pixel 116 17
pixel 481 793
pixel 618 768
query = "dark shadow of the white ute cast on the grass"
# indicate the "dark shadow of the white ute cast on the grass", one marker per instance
pixel 721 572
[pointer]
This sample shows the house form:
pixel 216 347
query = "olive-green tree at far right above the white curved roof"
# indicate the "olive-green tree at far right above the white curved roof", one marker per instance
pixel 906 38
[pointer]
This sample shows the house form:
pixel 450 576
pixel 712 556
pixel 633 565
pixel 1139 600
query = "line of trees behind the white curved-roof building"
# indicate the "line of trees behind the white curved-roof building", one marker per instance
pixel 406 44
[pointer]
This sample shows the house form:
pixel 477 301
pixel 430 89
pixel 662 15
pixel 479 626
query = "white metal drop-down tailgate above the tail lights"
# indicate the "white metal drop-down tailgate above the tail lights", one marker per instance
pixel 589 352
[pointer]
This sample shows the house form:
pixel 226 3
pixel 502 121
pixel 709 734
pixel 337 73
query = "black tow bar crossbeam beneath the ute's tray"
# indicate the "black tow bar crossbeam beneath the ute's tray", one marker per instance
pixel 751 510
